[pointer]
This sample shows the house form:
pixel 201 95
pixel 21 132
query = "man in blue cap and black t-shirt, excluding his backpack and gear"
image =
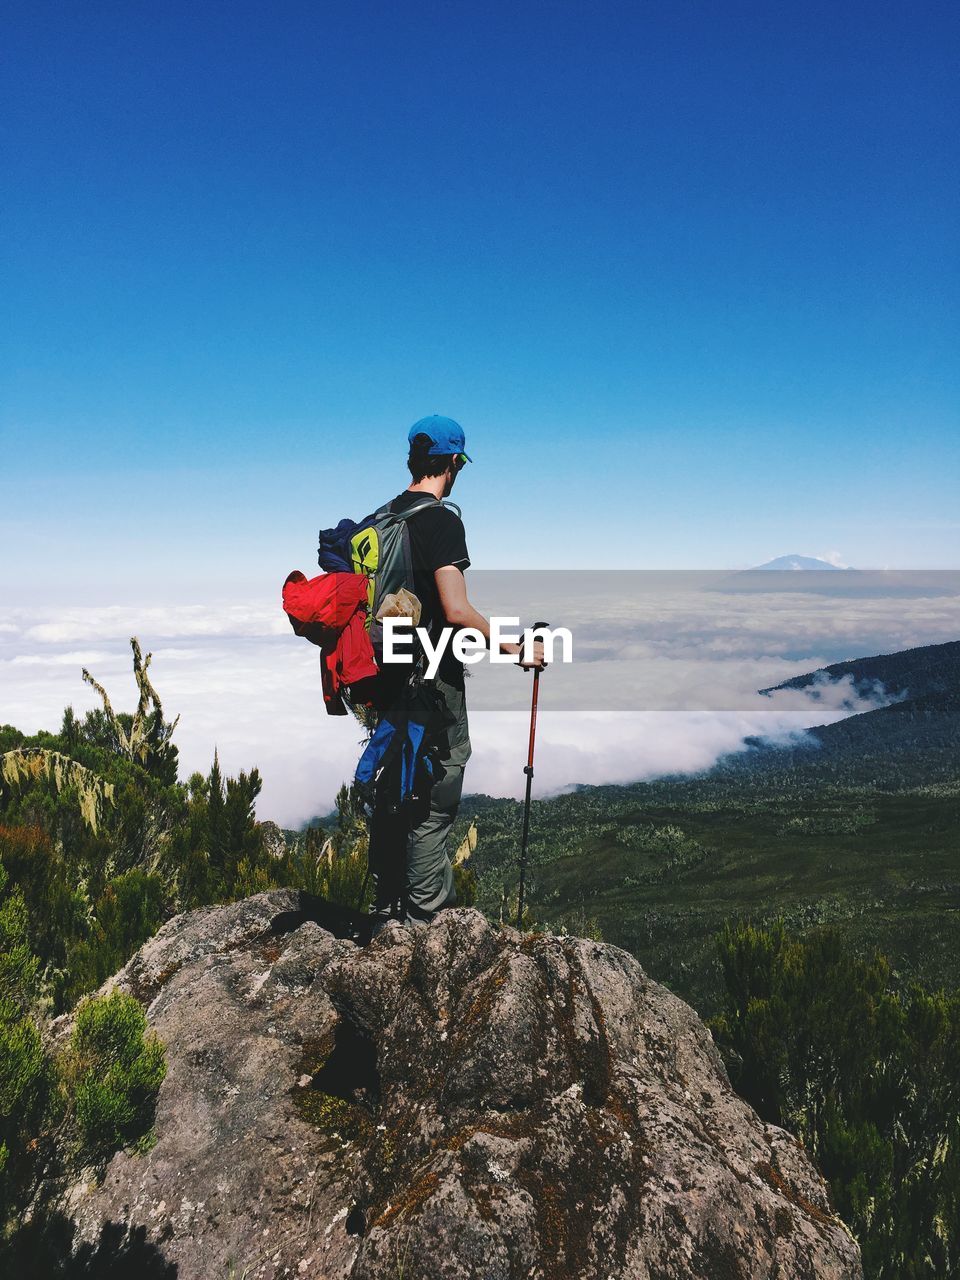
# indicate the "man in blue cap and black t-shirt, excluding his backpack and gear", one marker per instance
pixel 440 559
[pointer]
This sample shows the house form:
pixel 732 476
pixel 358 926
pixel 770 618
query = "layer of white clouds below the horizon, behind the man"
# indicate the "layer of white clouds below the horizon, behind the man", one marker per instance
pixel 666 675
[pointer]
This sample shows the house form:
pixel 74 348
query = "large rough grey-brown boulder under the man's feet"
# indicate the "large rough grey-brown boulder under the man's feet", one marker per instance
pixel 455 1101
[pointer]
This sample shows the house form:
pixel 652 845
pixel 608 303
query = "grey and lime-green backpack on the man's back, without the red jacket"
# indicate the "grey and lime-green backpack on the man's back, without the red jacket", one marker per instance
pixel 378 548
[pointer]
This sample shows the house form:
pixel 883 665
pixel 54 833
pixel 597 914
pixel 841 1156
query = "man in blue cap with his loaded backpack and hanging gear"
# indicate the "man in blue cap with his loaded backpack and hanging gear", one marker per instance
pixel 399 574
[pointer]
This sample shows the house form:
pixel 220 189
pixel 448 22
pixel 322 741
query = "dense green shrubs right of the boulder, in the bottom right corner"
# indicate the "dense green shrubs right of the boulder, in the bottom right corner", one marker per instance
pixel 868 1076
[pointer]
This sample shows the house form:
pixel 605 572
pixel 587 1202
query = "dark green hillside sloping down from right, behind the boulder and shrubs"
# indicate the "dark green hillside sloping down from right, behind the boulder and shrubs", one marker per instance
pixel 860 828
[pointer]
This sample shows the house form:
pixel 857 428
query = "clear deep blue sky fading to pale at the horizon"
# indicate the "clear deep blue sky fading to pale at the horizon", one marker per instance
pixel 687 273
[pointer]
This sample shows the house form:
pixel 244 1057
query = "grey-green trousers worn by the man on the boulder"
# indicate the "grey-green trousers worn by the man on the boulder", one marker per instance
pixel 423 880
